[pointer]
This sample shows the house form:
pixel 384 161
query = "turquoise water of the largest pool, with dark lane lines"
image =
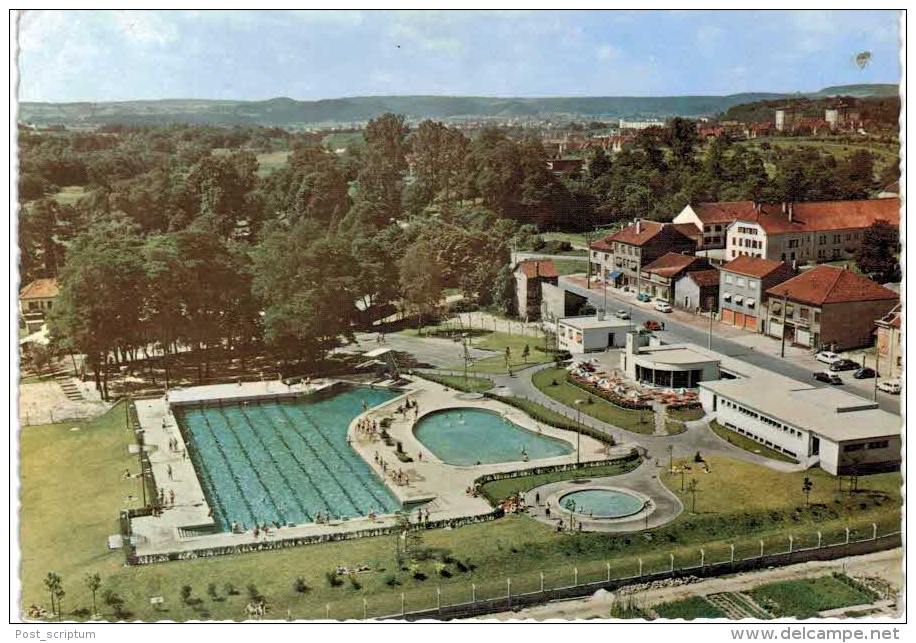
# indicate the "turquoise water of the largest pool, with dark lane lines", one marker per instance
pixel 285 461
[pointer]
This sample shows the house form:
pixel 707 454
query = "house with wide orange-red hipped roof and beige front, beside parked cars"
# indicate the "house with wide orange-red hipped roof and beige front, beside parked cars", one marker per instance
pixel 827 306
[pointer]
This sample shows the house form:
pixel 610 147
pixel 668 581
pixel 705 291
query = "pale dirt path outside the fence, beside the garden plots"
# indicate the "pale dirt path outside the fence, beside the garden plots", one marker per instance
pixel 886 565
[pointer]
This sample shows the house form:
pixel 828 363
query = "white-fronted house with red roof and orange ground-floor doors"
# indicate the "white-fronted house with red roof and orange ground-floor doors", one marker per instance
pixel 743 283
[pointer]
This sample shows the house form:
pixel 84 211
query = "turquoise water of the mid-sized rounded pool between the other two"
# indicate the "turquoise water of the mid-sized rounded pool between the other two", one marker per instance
pixel 468 436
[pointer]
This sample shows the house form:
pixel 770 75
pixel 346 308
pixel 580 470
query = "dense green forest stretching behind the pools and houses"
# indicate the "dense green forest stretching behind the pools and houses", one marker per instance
pixel 180 239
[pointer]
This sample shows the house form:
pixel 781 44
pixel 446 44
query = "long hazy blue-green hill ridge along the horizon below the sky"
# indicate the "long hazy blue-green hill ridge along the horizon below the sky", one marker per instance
pixel 289 112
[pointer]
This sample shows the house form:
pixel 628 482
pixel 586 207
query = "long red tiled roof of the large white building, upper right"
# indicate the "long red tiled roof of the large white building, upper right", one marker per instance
pixel 823 216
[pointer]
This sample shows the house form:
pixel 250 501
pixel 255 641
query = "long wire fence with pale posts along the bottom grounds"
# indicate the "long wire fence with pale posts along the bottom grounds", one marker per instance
pixel 466 600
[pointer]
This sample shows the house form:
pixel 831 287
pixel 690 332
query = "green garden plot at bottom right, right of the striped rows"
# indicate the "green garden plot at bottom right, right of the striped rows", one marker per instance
pixel 806 597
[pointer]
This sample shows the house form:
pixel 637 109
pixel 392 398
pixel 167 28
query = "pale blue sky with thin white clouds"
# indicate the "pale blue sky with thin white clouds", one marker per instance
pixel 306 55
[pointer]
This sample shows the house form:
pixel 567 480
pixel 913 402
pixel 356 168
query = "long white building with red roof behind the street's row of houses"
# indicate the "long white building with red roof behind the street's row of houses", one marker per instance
pixel 805 232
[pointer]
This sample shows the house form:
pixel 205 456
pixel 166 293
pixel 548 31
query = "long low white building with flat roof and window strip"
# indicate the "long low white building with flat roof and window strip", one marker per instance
pixel 843 433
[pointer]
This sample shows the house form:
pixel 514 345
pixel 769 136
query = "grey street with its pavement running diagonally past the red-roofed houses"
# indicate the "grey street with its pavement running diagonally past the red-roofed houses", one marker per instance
pixel 750 347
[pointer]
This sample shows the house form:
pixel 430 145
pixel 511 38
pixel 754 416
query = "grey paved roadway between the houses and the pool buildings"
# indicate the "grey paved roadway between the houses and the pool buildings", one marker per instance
pixel 676 331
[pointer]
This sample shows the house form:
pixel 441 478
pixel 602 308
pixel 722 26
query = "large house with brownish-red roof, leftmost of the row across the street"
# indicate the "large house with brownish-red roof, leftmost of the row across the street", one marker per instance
pixel 619 258
